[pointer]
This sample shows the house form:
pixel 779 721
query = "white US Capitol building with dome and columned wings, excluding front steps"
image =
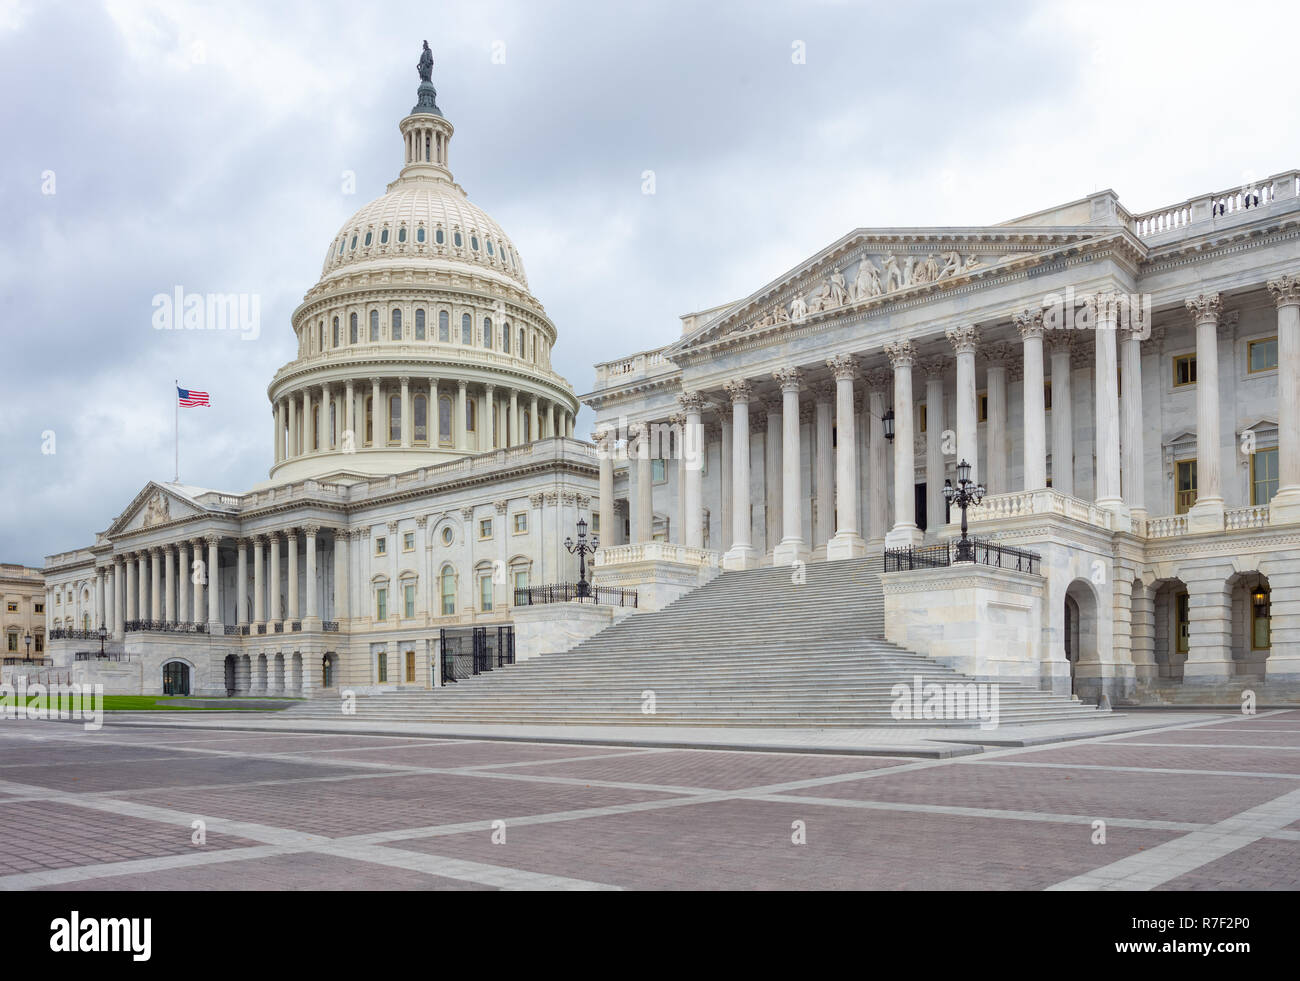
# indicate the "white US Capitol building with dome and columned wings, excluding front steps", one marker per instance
pixel 1125 387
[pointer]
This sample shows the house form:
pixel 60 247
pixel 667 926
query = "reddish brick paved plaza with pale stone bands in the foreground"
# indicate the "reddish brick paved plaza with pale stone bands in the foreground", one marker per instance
pixel 1211 804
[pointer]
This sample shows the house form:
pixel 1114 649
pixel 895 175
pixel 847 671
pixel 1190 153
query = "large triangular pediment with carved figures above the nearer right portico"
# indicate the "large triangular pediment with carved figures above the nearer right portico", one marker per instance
pixel 878 267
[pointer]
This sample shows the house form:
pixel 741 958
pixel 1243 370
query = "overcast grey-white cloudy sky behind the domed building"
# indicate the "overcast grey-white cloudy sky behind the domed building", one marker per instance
pixel 146 146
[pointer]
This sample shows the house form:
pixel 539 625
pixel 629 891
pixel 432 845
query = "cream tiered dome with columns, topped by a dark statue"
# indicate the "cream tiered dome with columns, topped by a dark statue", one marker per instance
pixel 422 342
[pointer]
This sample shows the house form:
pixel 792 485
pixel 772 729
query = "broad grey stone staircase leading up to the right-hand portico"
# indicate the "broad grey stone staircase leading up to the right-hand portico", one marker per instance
pixel 749 649
